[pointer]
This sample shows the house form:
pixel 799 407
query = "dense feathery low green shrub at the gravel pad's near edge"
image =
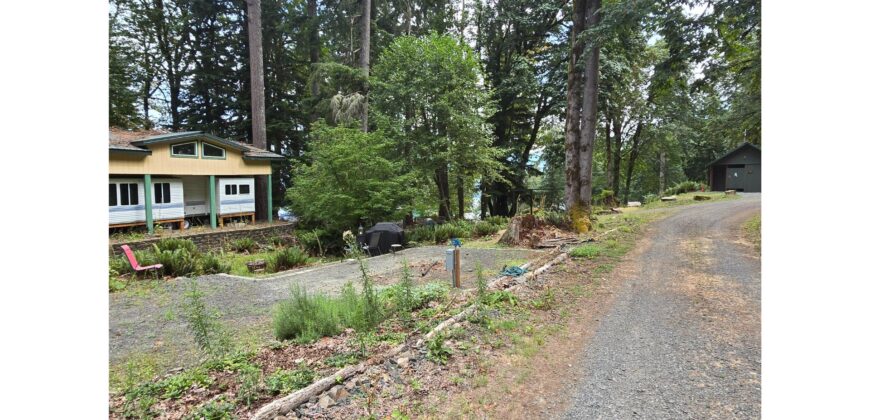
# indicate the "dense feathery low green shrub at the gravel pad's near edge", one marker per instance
pixel 304 317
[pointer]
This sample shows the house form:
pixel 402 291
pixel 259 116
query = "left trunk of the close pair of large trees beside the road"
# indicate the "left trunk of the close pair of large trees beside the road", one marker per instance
pixel 572 117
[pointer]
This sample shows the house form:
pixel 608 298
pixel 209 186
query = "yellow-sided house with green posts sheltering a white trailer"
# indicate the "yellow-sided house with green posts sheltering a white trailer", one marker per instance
pixel 167 178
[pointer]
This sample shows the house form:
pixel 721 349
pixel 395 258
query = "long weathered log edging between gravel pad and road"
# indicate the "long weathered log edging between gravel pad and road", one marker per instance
pixel 286 404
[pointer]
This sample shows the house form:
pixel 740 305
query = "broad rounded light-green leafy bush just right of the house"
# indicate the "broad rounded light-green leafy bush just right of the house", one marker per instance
pixel 351 176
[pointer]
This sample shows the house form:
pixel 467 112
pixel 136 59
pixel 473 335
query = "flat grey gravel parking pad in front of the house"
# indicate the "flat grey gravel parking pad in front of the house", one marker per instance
pixel 150 322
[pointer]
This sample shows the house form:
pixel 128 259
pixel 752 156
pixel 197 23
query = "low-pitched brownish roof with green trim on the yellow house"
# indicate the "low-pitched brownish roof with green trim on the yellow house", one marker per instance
pixel 126 141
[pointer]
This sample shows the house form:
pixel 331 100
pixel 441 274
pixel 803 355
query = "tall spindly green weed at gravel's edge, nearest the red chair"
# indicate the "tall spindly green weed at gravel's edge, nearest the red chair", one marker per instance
pixel 208 334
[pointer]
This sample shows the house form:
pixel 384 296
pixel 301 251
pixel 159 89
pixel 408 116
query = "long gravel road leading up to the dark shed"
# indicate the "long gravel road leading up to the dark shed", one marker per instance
pixel 683 338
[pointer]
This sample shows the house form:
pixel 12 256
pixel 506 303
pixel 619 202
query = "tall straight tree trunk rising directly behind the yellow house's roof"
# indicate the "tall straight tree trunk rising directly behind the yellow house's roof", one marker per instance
pixel 258 100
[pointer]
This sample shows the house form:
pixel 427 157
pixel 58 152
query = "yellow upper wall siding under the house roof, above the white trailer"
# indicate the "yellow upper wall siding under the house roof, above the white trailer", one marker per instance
pixel 160 163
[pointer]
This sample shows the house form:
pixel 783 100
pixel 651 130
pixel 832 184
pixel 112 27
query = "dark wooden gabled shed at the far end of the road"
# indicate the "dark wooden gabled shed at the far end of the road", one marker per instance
pixel 739 169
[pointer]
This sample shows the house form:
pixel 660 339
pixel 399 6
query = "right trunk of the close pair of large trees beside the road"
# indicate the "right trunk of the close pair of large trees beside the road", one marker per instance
pixel 589 119
